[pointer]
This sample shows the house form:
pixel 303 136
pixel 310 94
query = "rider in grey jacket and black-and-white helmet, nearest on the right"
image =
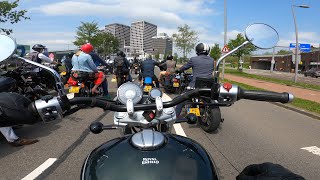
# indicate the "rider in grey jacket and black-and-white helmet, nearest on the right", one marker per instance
pixel 202 66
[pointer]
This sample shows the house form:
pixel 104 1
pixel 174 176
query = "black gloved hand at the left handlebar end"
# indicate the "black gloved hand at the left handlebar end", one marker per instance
pixel 14 110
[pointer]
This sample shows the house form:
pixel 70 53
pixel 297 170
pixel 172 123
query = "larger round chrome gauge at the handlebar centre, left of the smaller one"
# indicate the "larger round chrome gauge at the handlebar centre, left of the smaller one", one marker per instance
pixel 129 91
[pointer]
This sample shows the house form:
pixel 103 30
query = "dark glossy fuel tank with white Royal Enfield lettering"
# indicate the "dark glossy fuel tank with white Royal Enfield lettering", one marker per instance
pixel 174 157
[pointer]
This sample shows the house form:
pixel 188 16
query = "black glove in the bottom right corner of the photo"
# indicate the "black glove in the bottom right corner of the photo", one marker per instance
pixel 267 171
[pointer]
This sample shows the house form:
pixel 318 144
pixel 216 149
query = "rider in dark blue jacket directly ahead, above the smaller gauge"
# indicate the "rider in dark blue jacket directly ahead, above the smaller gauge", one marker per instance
pixel 147 70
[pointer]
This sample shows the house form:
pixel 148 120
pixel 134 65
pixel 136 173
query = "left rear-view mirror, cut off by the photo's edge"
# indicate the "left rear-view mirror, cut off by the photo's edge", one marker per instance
pixel 7 47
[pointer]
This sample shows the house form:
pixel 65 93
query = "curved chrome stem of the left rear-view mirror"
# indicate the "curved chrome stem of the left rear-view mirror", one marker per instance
pixel 57 78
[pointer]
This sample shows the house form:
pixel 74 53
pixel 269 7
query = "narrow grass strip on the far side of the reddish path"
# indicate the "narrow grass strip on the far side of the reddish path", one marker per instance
pixel 274 80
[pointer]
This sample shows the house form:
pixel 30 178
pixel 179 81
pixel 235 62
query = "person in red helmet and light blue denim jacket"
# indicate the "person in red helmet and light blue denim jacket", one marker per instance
pixel 82 63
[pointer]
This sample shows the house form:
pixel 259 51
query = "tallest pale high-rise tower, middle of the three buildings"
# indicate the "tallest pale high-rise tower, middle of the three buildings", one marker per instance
pixel 141 34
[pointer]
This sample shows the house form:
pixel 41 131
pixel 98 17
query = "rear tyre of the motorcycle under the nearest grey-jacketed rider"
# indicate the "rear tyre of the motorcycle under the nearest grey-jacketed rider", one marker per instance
pixel 210 119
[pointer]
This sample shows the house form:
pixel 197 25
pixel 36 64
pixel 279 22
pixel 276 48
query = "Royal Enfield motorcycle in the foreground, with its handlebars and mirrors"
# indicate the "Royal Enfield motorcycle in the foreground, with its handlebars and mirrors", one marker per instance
pixel 149 149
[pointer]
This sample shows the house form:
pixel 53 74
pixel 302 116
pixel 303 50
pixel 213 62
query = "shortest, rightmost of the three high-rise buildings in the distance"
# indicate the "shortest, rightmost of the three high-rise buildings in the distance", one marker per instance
pixel 162 44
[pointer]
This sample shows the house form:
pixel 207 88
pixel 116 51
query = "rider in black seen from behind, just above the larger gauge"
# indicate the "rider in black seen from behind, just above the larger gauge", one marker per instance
pixel 121 67
